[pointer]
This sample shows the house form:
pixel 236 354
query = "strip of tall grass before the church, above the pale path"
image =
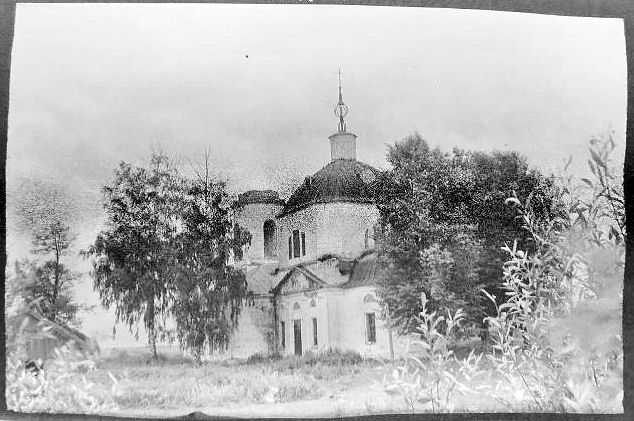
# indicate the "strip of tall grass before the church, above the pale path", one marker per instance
pixel 173 384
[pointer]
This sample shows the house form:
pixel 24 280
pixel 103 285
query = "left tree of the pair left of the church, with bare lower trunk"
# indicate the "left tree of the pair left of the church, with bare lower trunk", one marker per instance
pixel 132 256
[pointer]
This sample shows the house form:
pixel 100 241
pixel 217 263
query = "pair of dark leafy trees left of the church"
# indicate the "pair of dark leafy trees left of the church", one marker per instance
pixel 167 252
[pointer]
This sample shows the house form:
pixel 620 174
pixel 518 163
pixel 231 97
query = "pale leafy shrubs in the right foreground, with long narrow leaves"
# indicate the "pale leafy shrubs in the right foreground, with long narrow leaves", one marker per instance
pixel 556 343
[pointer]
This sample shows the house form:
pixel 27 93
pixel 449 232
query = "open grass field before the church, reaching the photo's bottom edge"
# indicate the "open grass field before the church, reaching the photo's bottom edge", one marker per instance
pixel 329 384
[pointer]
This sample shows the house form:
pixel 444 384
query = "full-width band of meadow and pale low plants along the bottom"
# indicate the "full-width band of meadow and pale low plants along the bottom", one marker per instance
pixel 460 376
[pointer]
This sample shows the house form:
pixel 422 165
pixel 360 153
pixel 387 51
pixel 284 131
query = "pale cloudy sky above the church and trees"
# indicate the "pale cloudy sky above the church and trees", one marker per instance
pixel 96 84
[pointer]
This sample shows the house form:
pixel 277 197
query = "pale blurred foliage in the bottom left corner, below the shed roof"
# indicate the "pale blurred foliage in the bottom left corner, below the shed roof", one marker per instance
pixel 62 386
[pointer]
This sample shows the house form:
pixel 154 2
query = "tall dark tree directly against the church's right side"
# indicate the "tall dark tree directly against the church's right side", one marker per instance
pixel 426 241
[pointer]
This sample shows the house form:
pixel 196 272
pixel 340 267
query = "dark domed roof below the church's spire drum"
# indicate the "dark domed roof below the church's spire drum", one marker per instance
pixel 342 180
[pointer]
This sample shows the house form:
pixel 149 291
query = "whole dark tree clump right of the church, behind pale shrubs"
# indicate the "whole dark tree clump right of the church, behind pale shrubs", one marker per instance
pixel 442 218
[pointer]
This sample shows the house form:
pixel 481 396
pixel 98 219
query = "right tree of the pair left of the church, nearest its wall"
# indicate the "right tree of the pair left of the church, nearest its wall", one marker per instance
pixel 208 290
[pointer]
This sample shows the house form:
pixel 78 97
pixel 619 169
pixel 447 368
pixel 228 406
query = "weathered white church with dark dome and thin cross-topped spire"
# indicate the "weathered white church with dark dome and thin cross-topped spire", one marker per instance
pixel 310 266
